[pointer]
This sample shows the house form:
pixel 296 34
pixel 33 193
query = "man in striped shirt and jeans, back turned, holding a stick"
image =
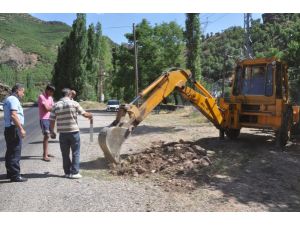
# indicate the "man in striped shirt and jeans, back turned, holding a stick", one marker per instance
pixel 65 113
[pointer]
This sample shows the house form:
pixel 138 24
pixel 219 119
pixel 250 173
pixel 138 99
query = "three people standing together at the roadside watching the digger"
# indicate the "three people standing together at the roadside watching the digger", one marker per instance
pixel 64 113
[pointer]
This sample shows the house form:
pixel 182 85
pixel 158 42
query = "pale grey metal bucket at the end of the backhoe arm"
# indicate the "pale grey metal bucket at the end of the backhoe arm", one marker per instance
pixel 110 140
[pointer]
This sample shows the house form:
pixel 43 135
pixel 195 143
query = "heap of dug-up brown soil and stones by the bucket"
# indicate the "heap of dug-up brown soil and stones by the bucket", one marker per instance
pixel 179 163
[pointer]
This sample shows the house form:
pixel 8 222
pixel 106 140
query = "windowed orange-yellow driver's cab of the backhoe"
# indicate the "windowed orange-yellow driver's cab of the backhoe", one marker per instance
pixel 261 80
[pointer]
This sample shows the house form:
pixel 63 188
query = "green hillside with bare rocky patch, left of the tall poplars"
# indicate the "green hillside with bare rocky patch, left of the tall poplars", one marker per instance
pixel 28 50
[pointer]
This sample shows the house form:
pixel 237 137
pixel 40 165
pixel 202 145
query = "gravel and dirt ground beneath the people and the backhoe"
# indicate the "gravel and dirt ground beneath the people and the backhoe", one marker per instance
pixel 173 162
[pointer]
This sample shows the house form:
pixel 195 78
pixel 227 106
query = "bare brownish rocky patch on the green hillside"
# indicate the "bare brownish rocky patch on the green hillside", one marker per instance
pixel 16 58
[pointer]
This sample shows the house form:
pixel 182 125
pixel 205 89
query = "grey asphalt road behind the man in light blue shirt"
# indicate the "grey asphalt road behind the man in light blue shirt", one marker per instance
pixel 32 128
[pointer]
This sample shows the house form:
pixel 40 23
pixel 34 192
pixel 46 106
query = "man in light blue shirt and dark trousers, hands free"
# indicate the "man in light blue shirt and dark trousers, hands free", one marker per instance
pixel 14 133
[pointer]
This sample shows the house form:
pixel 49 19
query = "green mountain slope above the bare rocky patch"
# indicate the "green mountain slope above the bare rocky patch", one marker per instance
pixel 33 35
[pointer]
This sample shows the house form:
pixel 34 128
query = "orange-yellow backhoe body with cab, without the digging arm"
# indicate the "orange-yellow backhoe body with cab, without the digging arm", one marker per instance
pixel 259 110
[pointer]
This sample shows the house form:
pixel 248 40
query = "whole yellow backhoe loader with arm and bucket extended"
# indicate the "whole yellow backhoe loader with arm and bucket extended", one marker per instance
pixel 259 99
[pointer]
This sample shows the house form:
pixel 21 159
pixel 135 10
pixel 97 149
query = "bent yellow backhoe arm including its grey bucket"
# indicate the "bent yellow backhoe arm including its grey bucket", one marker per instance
pixel 129 116
